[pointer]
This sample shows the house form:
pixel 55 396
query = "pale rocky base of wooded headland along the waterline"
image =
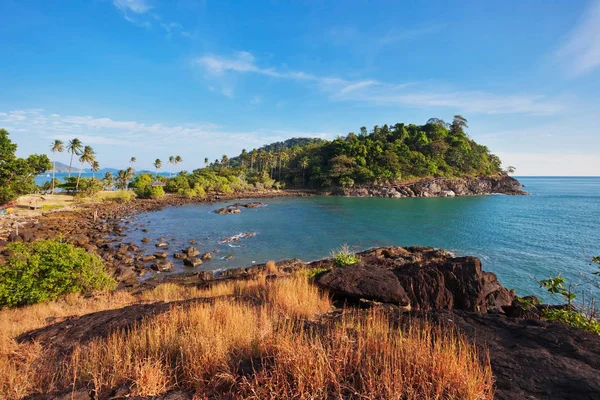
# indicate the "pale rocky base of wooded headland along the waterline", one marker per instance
pixel 441 187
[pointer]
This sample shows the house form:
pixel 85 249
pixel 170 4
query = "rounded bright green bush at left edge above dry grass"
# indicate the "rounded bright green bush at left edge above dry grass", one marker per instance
pixel 46 269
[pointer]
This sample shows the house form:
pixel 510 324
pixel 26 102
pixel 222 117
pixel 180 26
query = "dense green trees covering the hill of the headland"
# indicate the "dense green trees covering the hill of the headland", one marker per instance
pixel 386 154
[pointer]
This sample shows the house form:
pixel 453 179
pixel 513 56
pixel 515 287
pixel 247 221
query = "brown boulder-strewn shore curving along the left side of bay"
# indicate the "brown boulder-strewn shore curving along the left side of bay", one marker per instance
pixel 101 227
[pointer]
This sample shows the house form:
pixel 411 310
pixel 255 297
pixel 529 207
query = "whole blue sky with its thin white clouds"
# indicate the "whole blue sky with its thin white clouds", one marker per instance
pixel 152 78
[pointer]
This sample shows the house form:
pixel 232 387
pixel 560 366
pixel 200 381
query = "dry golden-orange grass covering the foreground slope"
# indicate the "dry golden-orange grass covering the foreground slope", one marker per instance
pixel 255 339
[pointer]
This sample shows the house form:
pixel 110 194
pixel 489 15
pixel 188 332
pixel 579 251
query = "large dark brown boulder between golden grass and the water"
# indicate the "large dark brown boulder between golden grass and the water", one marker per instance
pixel 428 278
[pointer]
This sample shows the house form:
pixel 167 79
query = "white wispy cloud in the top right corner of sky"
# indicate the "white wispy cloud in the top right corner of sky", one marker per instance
pixel 580 52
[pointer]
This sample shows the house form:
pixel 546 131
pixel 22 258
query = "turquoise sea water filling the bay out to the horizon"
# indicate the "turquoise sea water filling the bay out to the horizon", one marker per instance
pixel 553 230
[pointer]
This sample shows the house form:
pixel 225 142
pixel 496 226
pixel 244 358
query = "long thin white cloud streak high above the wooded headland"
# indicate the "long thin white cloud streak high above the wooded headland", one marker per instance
pixel 373 92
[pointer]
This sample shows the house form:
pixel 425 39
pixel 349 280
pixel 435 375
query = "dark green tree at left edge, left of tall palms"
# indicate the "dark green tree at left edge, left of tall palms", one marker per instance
pixel 17 175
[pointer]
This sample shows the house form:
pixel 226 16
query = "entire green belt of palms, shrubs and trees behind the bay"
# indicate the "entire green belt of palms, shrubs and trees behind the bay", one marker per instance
pixel 386 154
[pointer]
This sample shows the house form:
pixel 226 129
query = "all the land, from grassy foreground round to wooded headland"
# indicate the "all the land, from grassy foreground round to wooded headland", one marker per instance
pixel 392 322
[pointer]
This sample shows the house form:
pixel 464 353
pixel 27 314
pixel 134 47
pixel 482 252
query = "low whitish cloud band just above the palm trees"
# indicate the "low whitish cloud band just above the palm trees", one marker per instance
pixel 193 141
